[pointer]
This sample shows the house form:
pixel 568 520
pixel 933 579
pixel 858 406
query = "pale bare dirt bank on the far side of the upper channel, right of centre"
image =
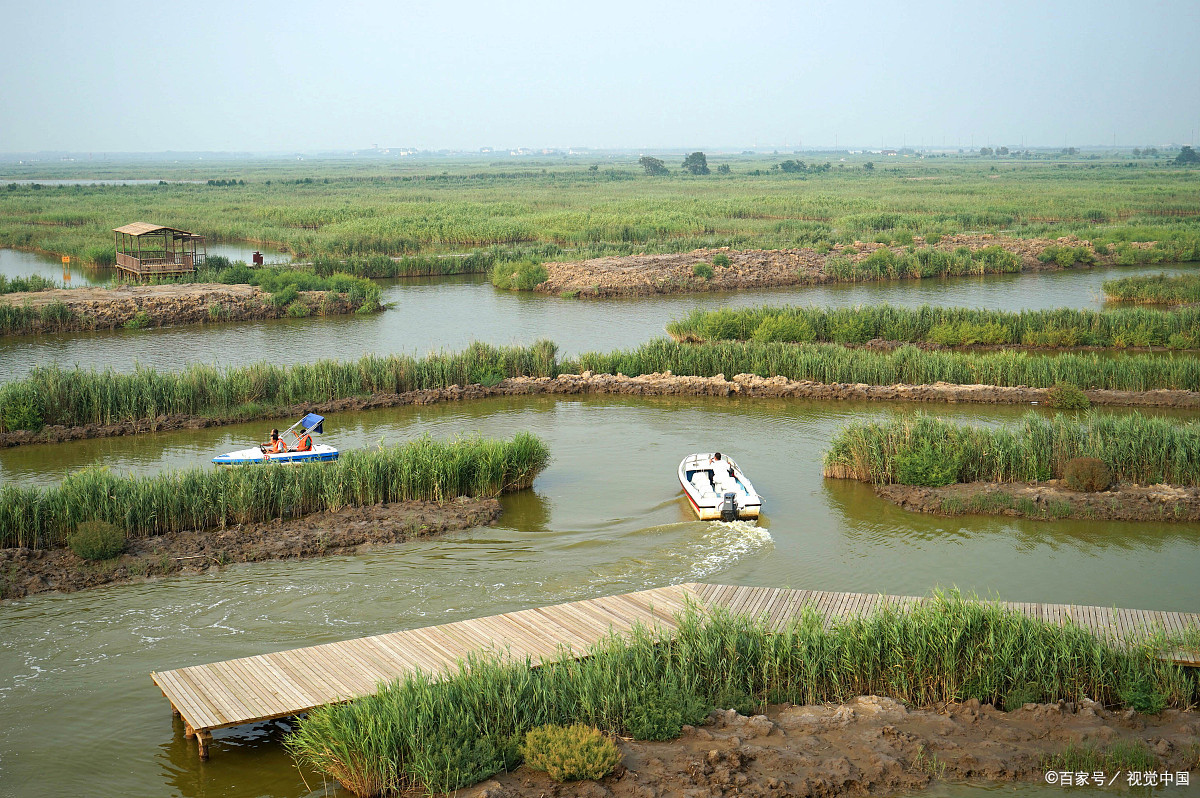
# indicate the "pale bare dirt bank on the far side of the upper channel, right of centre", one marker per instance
pixel 673 274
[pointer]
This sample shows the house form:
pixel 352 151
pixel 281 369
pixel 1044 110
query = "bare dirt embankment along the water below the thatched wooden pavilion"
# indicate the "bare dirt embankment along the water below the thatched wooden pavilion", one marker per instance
pixel 169 305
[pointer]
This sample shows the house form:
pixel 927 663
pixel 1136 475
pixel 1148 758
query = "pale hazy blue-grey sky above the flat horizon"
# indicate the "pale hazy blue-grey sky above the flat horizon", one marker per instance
pixel 311 76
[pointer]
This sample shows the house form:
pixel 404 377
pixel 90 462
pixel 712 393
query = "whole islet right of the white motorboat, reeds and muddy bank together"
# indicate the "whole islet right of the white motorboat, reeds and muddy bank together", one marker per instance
pixel 1096 467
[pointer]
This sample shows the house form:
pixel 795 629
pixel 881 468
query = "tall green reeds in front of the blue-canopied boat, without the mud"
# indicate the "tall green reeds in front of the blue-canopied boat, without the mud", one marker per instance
pixel 207 499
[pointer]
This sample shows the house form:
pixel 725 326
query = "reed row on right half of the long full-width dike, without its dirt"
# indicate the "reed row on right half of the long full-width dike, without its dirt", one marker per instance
pixel 829 363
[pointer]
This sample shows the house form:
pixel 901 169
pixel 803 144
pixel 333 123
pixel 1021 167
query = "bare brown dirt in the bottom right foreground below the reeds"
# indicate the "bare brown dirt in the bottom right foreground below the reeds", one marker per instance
pixel 869 746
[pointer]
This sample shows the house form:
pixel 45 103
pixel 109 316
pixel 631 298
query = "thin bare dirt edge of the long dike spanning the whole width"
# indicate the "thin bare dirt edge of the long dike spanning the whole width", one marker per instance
pixel 658 385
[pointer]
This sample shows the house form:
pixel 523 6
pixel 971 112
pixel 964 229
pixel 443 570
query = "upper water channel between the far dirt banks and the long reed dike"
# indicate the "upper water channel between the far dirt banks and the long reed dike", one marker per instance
pixel 449 314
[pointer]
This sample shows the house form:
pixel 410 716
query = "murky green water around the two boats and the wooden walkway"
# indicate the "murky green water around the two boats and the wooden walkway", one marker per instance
pixel 607 518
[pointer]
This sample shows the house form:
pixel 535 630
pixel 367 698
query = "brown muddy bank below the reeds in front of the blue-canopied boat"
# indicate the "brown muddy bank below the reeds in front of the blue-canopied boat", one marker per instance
pixel 25 572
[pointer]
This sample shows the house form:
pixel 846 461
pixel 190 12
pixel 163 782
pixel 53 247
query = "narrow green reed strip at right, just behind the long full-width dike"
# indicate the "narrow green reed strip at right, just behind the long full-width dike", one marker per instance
pixel 952 327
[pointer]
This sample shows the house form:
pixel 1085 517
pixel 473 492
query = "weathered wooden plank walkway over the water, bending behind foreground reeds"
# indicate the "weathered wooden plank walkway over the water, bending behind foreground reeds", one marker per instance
pixel 289 683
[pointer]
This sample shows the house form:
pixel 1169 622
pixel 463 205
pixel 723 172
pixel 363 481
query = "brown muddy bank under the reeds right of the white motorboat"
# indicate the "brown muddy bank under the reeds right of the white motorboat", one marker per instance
pixel 1051 500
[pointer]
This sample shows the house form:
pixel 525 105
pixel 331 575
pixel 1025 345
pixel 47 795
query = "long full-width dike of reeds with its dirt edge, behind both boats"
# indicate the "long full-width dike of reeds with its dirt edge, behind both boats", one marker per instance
pixel 53 404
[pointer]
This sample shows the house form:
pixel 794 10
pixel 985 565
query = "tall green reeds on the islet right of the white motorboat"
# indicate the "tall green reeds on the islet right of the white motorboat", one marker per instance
pixel 1135 448
